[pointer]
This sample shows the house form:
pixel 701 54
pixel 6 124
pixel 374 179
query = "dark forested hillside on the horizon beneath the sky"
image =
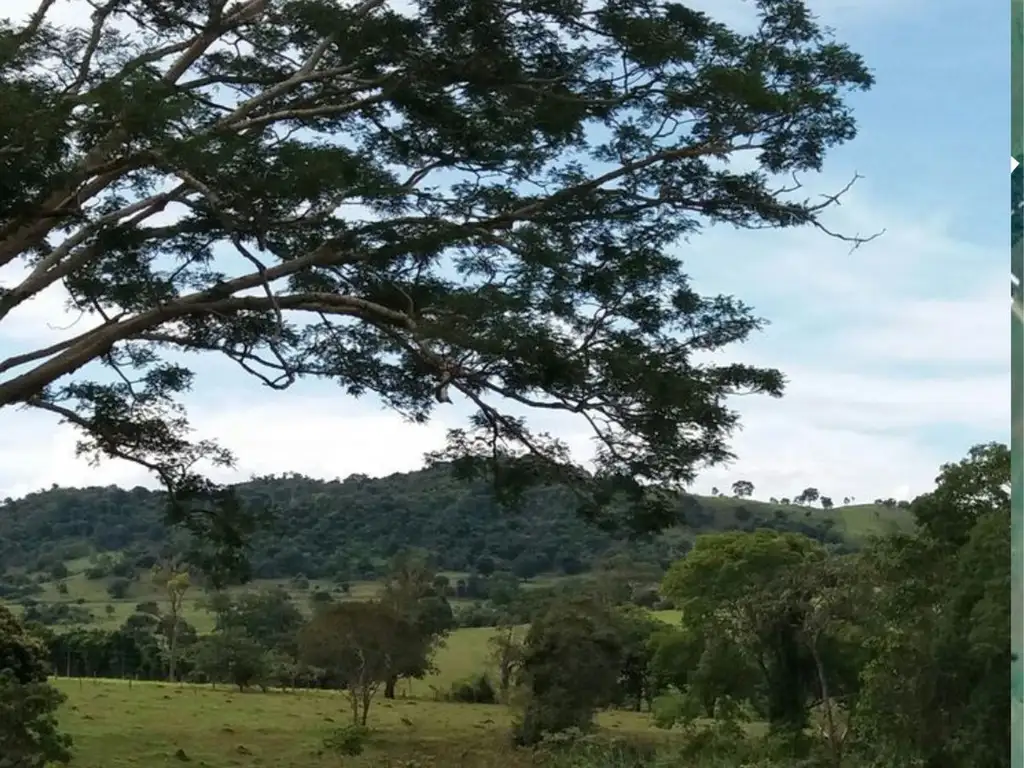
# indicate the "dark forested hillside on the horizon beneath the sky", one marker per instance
pixel 349 529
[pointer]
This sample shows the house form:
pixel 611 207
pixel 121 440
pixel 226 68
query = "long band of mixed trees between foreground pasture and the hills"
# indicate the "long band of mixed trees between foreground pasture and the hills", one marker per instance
pixel 895 655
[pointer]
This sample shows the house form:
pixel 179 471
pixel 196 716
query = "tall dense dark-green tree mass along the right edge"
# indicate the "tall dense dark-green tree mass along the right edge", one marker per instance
pixel 936 688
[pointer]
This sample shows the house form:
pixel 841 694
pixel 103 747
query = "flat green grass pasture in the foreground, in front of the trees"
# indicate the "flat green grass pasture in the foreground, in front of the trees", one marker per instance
pixel 147 724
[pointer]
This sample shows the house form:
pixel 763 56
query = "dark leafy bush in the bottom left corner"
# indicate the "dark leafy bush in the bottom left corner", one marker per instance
pixel 29 737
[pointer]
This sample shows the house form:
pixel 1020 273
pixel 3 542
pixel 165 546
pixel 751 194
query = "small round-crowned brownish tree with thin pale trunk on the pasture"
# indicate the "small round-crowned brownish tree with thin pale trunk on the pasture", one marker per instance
pixel 359 644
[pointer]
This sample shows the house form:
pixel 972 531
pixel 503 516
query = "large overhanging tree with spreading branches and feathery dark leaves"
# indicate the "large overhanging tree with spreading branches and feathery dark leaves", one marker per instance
pixel 472 199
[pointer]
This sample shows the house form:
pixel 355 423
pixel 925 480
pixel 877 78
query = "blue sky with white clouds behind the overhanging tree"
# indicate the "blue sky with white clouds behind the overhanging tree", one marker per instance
pixel 897 355
